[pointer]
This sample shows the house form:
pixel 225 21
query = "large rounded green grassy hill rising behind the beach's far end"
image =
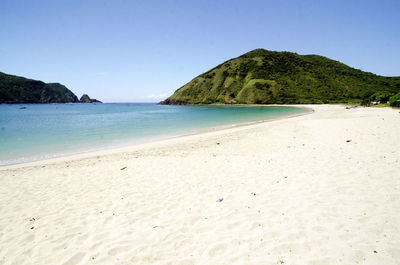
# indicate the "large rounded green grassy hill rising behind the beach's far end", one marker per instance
pixel 269 77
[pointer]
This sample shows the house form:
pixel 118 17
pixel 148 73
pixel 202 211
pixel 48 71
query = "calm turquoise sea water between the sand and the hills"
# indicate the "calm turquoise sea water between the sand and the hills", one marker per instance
pixel 42 131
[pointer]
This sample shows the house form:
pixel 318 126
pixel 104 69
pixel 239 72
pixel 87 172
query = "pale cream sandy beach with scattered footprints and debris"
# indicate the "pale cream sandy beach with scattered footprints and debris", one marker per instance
pixel 322 188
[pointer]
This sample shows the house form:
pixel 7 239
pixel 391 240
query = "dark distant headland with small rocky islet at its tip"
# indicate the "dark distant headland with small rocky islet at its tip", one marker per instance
pixel 16 89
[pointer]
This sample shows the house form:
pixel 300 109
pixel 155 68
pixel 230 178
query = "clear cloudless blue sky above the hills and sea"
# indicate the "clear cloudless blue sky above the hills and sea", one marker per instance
pixel 136 51
